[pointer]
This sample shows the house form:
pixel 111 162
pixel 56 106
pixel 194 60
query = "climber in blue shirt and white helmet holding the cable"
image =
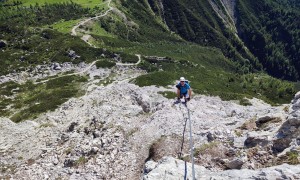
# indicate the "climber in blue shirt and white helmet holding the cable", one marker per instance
pixel 183 90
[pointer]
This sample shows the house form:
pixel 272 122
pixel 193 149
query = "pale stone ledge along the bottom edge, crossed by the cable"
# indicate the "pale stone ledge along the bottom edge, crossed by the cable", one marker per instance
pixel 171 168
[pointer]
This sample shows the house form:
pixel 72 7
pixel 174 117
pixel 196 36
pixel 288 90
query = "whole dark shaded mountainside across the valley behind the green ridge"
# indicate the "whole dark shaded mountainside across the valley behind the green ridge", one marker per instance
pixel 267 28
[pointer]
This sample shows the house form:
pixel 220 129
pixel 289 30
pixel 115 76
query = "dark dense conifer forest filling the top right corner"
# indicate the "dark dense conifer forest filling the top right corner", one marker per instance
pixel 271 31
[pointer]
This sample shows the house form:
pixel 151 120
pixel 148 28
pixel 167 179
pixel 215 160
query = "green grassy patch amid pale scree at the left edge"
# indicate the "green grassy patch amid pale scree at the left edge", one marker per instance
pixel 29 100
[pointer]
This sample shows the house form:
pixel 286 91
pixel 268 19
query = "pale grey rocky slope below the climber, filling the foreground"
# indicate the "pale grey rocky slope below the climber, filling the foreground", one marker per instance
pixel 122 131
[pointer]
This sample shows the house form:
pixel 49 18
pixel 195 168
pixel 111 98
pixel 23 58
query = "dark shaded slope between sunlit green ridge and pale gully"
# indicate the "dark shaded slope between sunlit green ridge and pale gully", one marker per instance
pixel 196 21
